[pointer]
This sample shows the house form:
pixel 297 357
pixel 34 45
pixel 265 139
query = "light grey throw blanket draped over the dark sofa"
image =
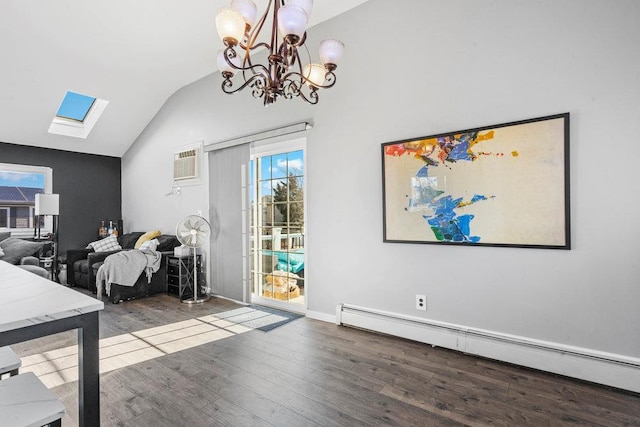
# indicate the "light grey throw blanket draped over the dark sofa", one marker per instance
pixel 124 268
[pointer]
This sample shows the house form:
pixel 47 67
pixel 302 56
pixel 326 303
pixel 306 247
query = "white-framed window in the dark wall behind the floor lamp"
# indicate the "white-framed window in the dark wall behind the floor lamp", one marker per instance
pixel 19 185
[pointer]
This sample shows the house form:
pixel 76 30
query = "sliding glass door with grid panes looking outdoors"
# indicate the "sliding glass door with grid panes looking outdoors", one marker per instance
pixel 277 227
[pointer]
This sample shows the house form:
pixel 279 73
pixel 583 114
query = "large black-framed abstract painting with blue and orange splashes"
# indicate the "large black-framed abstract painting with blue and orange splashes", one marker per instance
pixel 502 185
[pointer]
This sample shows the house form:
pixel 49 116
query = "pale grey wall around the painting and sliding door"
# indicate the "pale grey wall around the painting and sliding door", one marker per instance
pixel 445 66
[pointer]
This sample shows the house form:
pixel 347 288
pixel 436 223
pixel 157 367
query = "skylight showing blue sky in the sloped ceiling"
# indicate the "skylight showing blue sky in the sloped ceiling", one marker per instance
pixel 77 115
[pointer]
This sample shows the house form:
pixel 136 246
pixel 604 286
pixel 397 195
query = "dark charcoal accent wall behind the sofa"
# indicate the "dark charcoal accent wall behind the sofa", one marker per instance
pixel 89 186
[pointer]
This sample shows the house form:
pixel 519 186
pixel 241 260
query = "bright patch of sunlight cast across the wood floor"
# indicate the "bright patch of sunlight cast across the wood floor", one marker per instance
pixel 60 366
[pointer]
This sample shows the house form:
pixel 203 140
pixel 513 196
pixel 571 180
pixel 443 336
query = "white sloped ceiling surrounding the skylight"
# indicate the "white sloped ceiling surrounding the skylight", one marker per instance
pixel 132 53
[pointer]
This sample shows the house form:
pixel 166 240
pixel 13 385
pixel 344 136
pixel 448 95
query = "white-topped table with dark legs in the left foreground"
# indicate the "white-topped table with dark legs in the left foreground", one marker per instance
pixel 33 307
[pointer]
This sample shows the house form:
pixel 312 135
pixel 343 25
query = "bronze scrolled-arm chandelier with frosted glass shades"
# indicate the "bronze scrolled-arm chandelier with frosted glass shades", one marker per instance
pixel 284 74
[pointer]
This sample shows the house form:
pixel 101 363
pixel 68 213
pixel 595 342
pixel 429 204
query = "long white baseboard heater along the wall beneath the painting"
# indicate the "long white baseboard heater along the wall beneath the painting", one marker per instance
pixel 591 365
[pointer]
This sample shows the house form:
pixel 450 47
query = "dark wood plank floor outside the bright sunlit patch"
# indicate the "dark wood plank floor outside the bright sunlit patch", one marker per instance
pixel 311 373
